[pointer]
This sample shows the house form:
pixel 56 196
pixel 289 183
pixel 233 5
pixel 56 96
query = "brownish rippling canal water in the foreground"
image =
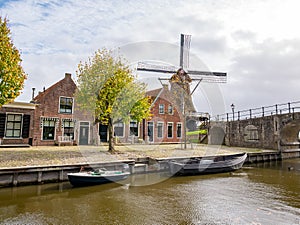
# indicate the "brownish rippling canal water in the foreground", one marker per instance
pixel 266 193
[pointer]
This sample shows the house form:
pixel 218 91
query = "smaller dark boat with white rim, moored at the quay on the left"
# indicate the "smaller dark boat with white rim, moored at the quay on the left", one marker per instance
pixel 96 177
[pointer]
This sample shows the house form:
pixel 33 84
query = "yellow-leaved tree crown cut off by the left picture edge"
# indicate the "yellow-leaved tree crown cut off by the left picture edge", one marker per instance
pixel 12 76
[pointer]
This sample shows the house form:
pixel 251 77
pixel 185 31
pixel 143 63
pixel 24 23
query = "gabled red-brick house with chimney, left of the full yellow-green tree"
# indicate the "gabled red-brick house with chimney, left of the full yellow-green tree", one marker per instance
pixel 57 119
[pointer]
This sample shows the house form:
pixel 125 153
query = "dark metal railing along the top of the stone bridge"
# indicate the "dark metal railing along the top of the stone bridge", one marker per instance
pixel 290 107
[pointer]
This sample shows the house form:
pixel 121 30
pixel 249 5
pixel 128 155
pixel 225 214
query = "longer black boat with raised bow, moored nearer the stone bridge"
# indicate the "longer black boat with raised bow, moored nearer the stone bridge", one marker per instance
pixel 207 165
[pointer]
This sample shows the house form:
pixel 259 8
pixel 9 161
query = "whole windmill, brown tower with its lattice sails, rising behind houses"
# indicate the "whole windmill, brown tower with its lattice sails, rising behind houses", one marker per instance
pixel 181 87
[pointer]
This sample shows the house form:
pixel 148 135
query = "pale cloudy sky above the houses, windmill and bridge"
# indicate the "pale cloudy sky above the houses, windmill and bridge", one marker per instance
pixel 257 43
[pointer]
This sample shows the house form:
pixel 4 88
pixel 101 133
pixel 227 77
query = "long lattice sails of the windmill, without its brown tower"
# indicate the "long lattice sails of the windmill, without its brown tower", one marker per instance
pixel 195 75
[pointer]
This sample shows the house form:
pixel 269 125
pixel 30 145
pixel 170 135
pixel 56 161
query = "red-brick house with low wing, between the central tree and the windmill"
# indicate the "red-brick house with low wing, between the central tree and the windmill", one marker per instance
pixel 165 125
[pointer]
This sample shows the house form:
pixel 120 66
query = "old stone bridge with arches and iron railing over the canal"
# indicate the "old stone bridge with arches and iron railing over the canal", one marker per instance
pixel 277 129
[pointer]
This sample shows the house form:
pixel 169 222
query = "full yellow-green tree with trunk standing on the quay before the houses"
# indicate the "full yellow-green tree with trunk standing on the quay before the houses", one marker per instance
pixel 107 87
